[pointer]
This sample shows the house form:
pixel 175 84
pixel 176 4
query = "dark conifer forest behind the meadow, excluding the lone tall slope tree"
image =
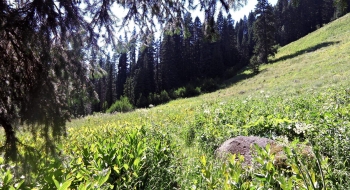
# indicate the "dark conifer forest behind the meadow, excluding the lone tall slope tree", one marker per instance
pixel 189 62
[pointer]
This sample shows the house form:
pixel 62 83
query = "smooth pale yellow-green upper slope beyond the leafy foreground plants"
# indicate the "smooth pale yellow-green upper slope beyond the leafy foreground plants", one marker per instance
pixel 318 61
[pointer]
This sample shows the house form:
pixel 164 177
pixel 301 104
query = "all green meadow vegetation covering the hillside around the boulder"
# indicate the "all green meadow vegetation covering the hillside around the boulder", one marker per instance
pixel 303 96
